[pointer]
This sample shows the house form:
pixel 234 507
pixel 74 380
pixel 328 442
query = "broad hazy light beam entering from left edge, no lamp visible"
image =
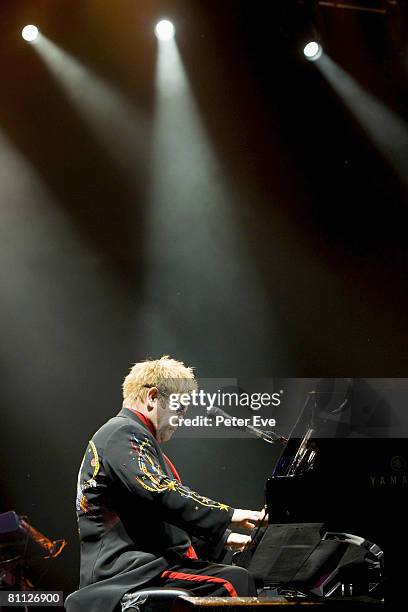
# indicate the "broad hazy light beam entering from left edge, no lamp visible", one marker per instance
pixel 46 269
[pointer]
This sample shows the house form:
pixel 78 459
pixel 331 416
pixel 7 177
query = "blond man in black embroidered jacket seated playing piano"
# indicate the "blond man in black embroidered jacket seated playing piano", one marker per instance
pixel 138 524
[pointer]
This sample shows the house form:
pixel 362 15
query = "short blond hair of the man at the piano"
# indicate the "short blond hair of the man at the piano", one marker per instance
pixel 167 374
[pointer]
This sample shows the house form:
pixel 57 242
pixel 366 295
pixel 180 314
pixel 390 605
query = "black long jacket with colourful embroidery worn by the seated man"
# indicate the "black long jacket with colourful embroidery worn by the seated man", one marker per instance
pixel 134 516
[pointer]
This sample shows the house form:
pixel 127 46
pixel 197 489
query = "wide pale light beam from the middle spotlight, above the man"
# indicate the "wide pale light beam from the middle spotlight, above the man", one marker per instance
pixel 198 268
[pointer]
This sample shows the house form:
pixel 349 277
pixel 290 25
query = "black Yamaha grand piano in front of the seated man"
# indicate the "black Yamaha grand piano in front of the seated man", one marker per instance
pixel 333 530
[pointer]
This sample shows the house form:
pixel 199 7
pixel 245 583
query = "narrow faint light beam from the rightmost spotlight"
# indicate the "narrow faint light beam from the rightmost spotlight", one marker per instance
pixel 387 131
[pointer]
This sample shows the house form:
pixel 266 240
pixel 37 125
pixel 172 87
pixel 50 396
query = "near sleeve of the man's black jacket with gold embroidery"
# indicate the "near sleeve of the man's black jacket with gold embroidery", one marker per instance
pixel 132 460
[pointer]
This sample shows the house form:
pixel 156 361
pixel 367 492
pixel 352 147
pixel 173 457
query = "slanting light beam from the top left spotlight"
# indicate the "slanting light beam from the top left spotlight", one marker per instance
pixel 114 121
